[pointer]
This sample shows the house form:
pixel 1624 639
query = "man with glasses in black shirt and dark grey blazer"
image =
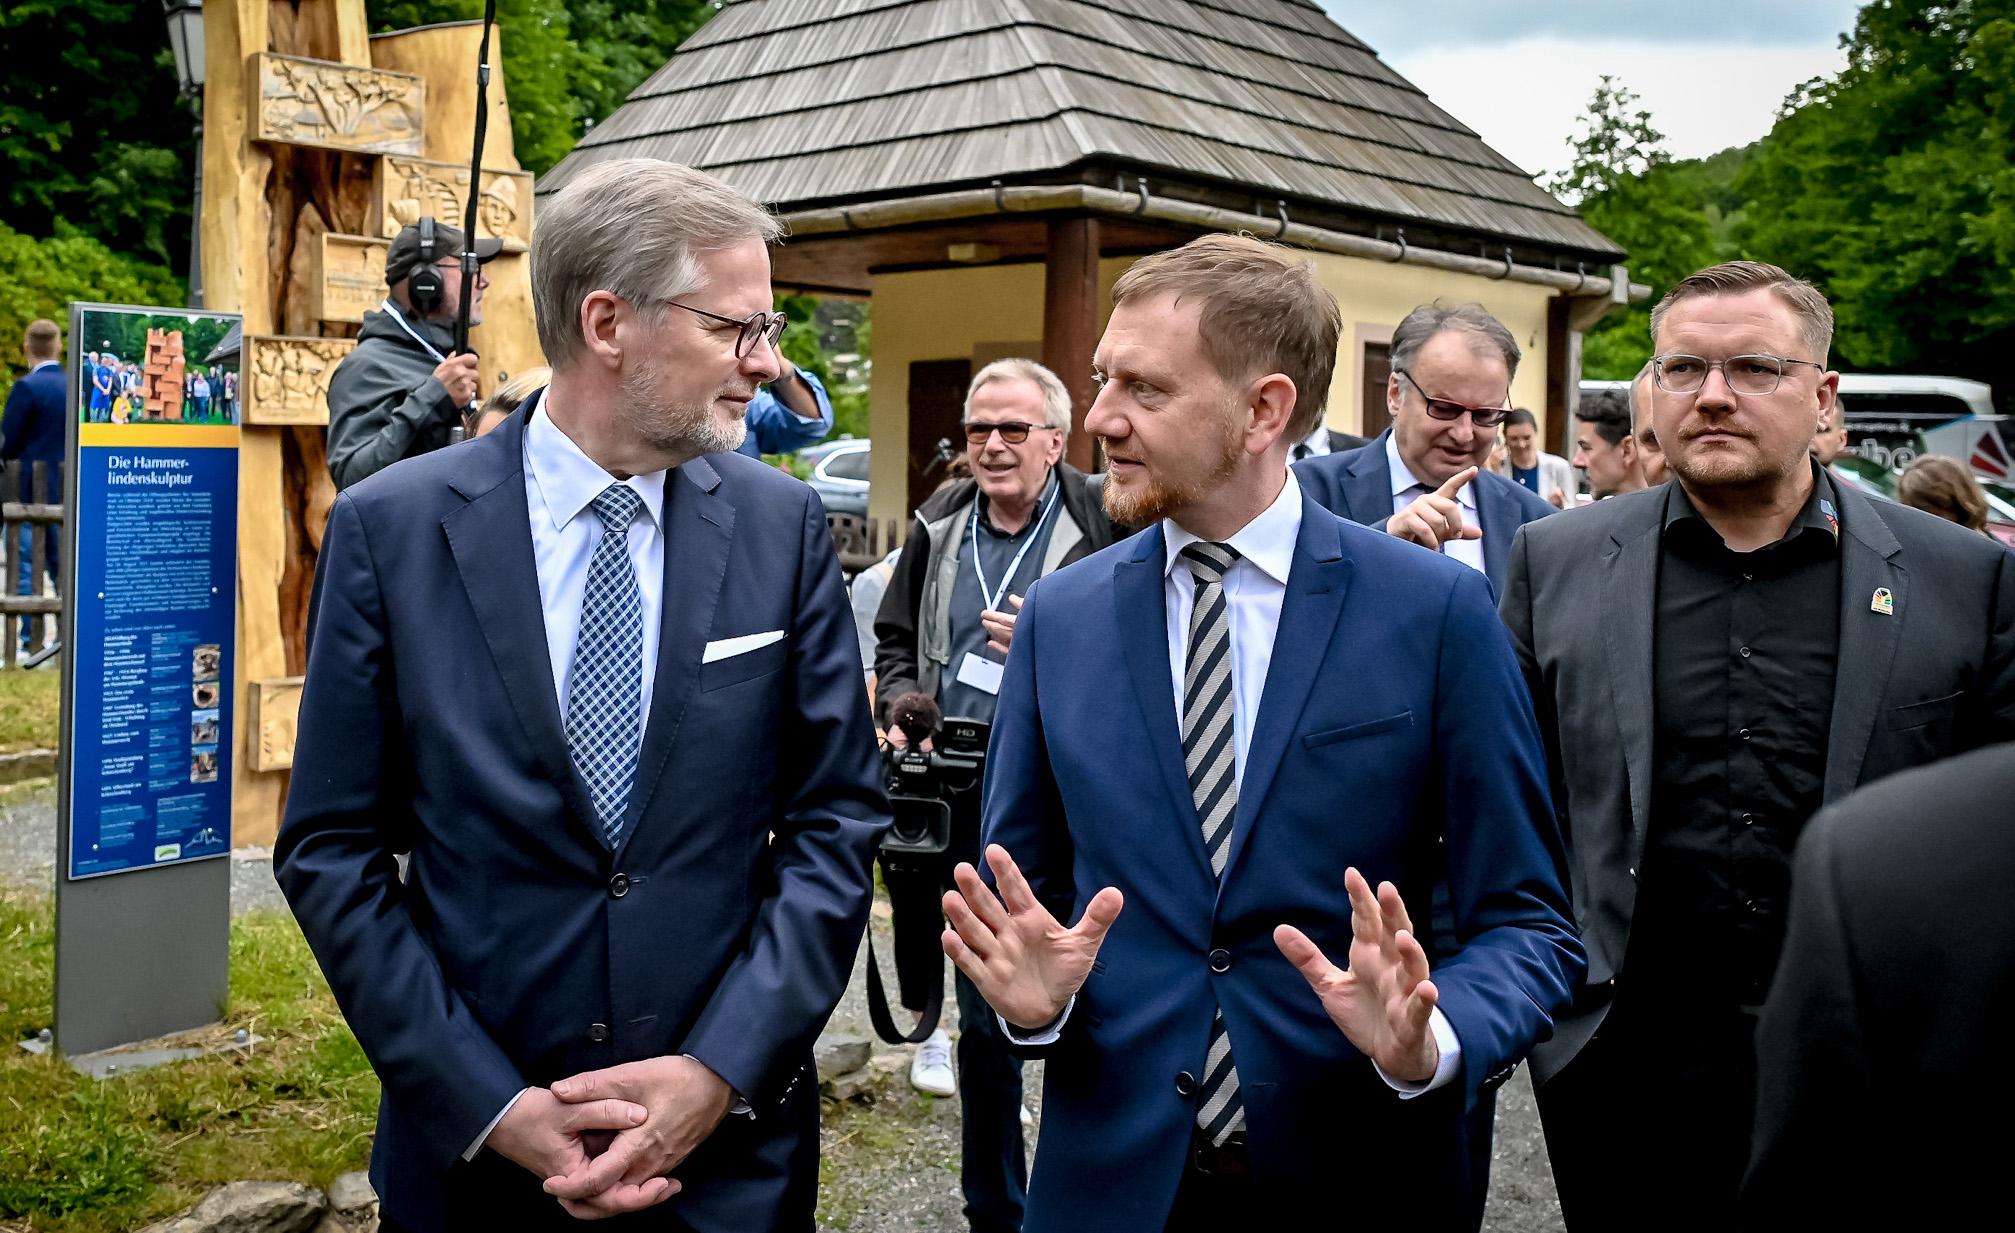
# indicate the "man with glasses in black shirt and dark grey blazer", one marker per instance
pixel 1712 662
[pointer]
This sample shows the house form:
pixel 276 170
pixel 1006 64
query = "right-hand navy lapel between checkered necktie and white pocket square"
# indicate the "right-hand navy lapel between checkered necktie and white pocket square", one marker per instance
pixel 700 525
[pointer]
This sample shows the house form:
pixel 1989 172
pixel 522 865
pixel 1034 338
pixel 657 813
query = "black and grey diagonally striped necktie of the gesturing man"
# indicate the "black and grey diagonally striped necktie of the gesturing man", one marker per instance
pixel 1210 757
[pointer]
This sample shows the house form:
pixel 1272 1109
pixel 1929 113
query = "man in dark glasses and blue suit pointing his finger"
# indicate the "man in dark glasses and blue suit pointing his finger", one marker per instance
pixel 1428 476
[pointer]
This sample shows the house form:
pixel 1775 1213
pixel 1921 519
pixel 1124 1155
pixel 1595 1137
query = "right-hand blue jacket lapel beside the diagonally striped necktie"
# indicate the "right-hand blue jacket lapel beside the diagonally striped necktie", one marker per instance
pixel 1317 583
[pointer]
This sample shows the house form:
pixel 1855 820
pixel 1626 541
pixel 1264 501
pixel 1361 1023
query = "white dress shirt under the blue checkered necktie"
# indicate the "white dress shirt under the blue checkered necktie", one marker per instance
pixel 561 485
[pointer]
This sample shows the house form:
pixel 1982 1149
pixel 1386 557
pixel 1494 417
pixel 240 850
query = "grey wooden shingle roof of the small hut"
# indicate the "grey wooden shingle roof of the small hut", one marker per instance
pixel 811 104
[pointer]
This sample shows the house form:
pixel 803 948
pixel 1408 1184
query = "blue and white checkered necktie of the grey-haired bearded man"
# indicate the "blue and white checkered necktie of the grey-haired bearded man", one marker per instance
pixel 606 688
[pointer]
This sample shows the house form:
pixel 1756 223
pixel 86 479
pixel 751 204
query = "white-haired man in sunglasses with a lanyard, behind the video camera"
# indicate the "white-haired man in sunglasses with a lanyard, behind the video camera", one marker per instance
pixel 942 638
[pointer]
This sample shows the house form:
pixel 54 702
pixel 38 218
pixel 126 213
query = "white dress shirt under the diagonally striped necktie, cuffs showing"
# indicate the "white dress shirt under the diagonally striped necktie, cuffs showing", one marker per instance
pixel 1254 591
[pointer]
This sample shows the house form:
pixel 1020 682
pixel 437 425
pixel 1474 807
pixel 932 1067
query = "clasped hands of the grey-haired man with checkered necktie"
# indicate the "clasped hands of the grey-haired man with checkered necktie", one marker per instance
pixel 606 1139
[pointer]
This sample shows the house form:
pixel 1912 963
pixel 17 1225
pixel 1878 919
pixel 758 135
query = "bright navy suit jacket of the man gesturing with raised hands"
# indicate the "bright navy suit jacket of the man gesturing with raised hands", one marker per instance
pixel 1393 736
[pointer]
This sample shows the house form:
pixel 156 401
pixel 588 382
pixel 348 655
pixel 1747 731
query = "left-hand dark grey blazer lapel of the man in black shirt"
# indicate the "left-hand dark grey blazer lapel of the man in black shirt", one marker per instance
pixel 1629 611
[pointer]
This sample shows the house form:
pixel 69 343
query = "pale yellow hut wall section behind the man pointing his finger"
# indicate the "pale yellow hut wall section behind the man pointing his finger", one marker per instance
pixel 1379 295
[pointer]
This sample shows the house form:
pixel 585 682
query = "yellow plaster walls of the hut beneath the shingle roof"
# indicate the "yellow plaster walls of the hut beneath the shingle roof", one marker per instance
pixel 932 315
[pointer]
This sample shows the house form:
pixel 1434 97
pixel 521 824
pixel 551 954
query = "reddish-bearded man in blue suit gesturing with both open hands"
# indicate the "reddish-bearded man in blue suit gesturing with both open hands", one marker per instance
pixel 1325 712
